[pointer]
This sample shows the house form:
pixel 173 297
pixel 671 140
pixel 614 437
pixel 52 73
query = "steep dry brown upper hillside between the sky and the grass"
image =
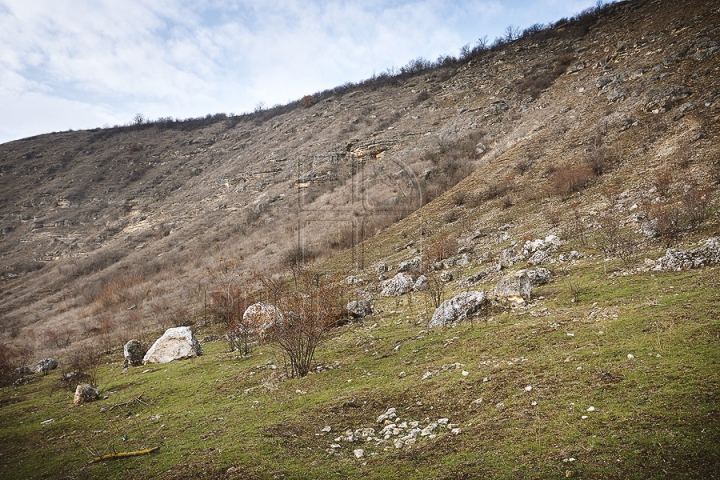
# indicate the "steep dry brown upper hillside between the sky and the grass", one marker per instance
pixel 104 231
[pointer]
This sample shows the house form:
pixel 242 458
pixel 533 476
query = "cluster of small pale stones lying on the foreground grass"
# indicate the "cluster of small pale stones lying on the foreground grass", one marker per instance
pixel 394 432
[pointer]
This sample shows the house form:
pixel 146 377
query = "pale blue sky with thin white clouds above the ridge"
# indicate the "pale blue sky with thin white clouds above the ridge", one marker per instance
pixel 77 64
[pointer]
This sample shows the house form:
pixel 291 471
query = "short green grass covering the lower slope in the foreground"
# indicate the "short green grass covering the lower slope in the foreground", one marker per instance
pixel 656 415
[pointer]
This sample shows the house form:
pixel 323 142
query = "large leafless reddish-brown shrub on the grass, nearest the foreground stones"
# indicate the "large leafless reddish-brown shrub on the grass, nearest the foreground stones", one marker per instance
pixel 310 311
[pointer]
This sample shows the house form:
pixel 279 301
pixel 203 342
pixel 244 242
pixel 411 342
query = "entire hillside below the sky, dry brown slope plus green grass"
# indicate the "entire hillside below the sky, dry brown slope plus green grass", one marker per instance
pixel 602 131
